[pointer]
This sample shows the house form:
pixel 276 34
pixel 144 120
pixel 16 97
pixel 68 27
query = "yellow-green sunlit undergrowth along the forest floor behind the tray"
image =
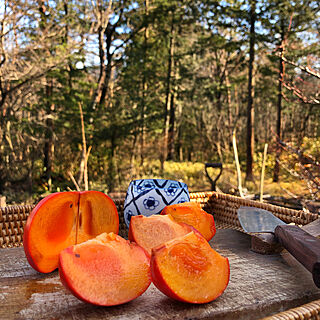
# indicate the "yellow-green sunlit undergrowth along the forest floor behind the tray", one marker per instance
pixel 192 173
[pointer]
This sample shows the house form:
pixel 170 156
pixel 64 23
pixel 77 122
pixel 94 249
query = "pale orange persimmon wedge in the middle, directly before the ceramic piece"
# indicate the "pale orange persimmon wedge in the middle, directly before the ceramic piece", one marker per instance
pixel 149 232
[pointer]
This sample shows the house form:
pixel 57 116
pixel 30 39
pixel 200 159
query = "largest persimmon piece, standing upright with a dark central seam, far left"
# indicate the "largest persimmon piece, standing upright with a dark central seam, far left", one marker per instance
pixel 63 219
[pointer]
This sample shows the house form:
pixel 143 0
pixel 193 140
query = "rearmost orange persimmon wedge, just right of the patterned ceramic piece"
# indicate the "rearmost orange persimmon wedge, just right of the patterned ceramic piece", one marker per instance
pixel 191 213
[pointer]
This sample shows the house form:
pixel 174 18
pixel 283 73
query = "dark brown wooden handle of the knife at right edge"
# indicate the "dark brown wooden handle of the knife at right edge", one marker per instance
pixel 303 246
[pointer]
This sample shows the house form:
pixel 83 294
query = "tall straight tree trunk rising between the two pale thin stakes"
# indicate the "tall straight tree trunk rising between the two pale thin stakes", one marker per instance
pixel 250 106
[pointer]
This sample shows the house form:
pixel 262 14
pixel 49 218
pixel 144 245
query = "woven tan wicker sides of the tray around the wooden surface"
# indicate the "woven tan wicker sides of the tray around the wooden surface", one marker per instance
pixel 222 206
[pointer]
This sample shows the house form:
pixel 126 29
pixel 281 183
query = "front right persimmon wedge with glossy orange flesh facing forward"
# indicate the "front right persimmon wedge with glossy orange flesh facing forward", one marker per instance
pixel 189 270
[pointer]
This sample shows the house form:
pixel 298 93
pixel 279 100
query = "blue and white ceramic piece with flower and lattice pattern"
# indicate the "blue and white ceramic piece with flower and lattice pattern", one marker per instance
pixel 149 196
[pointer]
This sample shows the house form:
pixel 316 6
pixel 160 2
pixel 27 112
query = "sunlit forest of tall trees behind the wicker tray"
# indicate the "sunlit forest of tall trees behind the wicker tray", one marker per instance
pixel 103 92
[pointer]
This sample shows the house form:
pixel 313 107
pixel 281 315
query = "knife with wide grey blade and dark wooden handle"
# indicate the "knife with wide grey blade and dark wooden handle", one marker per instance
pixel 302 245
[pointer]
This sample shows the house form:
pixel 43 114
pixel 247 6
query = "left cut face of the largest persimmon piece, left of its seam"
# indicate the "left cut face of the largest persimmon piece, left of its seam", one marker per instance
pixel 51 230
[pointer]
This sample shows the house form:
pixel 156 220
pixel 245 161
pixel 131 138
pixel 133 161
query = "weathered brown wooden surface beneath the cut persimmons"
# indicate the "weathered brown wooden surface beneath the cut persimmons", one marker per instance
pixel 259 286
